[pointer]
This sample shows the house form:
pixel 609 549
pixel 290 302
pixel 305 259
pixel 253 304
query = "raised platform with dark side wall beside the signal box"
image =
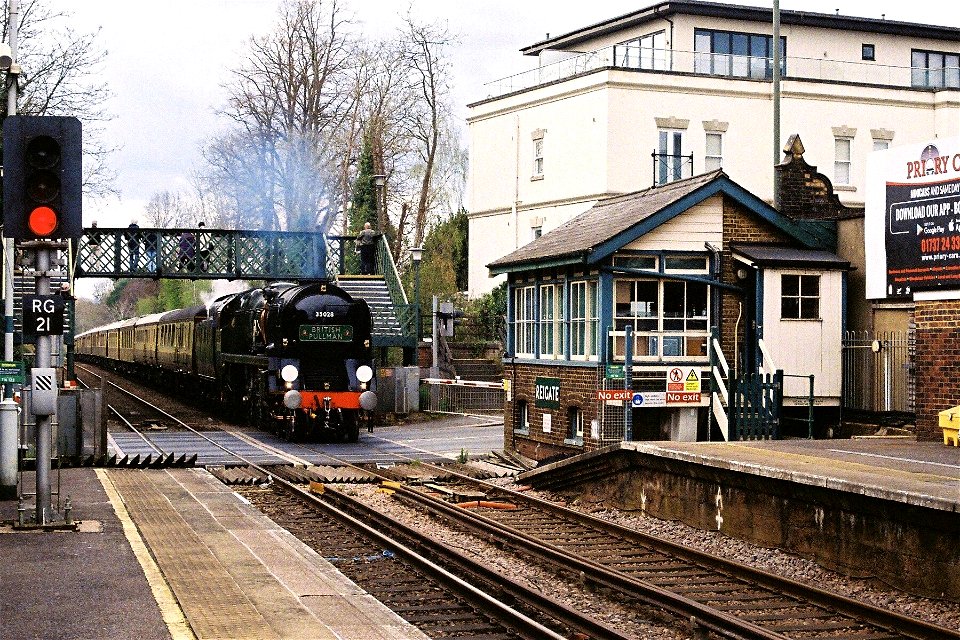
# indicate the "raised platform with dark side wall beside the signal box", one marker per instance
pixel 881 507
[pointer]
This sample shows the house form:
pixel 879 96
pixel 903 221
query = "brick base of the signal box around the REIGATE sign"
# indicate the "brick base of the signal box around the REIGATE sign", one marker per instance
pixel 578 387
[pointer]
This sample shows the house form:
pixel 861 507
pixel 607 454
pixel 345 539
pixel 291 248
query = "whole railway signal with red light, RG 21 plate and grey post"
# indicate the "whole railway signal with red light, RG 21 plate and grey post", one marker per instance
pixel 41 211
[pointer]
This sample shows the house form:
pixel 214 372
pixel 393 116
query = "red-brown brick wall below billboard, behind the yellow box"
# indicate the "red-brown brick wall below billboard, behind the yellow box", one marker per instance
pixel 937 354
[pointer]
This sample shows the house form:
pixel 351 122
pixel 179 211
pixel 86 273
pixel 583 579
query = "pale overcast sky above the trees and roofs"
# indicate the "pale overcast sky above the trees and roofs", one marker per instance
pixel 167 59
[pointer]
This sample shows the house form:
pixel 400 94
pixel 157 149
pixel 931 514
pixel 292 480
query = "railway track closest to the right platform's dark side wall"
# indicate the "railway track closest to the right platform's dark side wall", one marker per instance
pixel 724 597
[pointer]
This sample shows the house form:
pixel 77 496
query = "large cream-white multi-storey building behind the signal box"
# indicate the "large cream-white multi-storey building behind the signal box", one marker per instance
pixel 683 87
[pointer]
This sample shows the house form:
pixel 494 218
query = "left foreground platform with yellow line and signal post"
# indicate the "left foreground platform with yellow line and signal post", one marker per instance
pixel 174 554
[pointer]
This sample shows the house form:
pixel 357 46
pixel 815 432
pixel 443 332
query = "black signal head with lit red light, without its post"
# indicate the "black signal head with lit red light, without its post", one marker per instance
pixel 42 177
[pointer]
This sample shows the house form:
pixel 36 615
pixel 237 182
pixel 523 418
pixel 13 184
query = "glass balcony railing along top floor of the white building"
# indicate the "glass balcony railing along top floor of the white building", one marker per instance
pixel 737 67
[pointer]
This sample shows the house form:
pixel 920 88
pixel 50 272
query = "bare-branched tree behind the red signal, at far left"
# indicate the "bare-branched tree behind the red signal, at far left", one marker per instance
pixel 62 76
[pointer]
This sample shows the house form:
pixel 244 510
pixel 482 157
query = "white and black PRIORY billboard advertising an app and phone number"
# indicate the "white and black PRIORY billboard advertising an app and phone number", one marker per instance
pixel 912 219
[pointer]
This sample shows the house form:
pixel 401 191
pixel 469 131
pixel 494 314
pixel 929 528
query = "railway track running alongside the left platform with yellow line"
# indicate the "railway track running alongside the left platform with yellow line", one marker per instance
pixel 391 562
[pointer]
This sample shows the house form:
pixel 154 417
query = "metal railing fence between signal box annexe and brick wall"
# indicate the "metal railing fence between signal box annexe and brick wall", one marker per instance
pixel 878 371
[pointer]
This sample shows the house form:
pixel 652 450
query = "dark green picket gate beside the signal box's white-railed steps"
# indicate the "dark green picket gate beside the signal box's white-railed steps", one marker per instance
pixel 756 405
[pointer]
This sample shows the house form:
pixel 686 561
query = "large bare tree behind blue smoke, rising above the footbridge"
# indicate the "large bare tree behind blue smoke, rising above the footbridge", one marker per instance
pixel 288 103
